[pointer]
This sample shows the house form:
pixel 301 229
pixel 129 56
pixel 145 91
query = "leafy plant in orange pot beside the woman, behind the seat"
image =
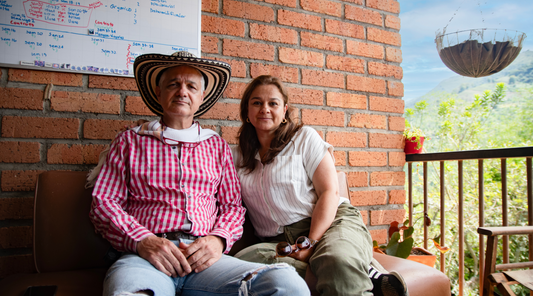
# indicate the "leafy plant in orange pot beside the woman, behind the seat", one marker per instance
pixel 401 245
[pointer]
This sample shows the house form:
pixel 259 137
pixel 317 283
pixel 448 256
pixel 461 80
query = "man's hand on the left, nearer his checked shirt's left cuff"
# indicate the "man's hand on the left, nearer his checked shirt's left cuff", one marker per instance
pixel 164 255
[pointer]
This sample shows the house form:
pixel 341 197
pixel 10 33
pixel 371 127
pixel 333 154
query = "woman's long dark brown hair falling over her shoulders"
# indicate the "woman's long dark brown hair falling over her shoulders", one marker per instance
pixel 248 142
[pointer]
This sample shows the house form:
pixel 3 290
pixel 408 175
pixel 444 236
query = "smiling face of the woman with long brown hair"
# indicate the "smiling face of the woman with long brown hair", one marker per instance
pixel 266 108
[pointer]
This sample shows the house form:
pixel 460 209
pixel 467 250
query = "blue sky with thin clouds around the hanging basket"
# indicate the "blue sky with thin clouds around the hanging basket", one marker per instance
pixel 421 19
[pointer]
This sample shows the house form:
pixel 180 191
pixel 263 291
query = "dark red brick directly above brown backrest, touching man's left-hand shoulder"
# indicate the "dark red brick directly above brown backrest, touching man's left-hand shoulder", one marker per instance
pixel 74 154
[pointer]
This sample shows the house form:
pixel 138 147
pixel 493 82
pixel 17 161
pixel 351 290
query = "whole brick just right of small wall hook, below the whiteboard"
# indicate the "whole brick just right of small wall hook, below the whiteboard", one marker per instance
pixel 85 102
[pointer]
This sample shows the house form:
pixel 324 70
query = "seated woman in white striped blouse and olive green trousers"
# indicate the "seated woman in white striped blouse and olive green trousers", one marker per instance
pixel 290 188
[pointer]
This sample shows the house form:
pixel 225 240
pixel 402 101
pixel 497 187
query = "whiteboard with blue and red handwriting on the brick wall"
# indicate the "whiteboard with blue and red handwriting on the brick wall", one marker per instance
pixel 91 36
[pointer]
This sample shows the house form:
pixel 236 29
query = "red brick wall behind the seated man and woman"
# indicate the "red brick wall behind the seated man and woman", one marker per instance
pixel 340 60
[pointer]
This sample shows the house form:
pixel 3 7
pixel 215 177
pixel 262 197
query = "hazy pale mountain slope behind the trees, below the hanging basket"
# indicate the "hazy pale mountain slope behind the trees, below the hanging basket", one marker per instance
pixel 518 74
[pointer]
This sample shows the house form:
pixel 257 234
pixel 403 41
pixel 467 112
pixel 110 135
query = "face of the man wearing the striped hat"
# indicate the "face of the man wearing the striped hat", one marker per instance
pixel 180 91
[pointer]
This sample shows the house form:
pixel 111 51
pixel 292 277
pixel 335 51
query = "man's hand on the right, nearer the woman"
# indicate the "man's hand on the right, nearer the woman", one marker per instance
pixel 203 252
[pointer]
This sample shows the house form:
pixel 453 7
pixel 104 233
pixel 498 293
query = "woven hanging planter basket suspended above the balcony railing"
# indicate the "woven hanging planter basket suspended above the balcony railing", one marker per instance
pixel 479 52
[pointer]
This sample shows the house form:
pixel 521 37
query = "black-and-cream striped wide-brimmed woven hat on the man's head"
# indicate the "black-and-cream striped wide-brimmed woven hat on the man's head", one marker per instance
pixel 147 68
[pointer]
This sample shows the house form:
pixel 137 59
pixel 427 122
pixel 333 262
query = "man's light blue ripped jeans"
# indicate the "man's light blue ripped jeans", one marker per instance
pixel 228 276
